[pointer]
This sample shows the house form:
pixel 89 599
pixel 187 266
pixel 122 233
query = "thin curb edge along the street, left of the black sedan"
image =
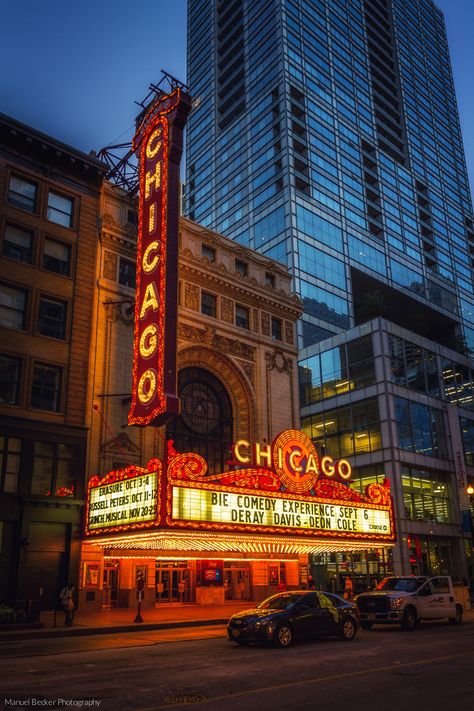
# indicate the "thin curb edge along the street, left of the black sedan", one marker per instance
pixel 9 636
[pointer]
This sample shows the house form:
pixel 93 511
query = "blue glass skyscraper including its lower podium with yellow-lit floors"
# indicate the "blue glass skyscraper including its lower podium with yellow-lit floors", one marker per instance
pixel 325 134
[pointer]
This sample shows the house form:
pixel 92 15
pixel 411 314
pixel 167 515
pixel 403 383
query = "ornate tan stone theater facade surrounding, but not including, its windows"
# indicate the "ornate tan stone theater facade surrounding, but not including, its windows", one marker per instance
pixel 255 370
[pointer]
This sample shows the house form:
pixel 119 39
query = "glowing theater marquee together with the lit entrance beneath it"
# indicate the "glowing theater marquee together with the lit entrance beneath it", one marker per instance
pixel 196 536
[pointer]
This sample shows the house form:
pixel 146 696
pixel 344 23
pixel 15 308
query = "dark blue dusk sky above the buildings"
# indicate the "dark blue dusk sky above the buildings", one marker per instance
pixel 74 70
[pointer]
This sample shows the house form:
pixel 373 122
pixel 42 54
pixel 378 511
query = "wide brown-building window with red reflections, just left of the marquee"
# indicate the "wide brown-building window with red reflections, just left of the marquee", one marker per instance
pixel 54 471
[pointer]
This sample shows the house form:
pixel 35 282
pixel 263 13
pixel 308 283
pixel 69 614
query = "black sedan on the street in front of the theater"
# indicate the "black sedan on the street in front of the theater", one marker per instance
pixel 295 615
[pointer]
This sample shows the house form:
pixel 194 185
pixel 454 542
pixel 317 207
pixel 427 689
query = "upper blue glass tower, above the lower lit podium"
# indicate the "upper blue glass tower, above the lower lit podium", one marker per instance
pixel 326 135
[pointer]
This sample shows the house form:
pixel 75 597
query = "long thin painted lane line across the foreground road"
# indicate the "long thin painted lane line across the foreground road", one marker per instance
pixel 305 682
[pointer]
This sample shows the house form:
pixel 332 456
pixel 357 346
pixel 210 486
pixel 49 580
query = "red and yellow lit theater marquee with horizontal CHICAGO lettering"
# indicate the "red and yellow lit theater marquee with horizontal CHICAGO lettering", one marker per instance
pixel 276 499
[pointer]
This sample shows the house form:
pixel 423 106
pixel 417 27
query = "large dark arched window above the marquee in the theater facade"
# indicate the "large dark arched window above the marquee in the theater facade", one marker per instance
pixel 205 423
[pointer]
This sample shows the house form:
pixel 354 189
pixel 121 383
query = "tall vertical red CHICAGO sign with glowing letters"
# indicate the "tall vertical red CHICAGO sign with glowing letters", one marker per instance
pixel 159 142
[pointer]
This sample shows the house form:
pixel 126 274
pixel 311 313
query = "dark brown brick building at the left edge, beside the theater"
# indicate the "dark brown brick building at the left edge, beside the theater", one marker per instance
pixel 49 201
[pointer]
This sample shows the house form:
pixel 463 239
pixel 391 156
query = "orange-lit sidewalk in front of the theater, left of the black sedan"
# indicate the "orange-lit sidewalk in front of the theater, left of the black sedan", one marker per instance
pixel 110 620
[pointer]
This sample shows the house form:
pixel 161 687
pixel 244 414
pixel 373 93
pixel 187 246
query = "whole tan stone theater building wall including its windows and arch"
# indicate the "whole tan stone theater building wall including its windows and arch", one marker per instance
pixel 237 376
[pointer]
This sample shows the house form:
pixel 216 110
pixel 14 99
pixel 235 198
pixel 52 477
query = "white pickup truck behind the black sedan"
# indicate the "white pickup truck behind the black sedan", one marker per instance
pixel 406 600
